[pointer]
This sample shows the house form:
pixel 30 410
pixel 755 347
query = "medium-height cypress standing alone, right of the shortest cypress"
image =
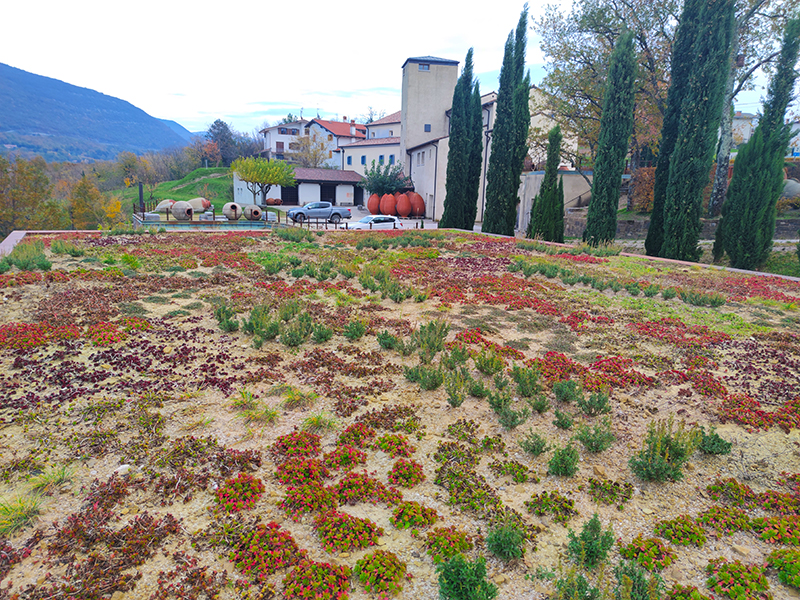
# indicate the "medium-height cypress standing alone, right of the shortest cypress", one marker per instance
pixel 616 126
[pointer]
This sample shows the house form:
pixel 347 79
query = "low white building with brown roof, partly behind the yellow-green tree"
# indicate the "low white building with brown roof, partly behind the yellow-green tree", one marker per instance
pixel 332 185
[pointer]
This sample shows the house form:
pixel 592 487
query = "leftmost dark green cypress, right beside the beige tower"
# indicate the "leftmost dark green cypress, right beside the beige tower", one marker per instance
pixel 461 196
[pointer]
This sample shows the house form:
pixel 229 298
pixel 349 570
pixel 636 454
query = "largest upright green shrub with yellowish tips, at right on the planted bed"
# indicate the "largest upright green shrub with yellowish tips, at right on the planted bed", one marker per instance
pixel 664 451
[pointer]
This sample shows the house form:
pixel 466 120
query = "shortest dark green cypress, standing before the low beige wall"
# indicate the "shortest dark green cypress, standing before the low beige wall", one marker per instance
pixel 547 209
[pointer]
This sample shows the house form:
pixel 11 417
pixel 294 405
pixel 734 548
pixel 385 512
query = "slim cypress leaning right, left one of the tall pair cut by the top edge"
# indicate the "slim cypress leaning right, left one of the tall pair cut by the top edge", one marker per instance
pixel 682 61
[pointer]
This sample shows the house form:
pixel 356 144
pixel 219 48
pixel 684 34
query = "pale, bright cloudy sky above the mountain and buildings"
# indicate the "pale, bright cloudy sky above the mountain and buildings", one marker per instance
pixel 250 62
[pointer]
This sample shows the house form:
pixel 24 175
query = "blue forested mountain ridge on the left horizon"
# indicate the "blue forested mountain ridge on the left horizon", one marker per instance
pixel 59 121
